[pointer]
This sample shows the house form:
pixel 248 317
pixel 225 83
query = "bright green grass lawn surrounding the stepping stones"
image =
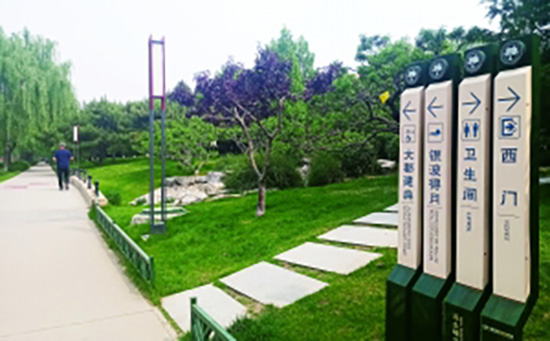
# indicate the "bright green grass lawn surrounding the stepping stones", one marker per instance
pixel 221 237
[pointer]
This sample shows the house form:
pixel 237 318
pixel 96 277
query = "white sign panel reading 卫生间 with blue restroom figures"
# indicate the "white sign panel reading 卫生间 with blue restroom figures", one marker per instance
pixel 473 163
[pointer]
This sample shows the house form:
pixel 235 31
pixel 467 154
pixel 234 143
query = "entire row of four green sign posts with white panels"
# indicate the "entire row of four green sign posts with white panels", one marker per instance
pixel 468 197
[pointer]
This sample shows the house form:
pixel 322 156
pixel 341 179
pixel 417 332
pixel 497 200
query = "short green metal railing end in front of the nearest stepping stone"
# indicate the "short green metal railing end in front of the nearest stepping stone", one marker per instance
pixel 204 328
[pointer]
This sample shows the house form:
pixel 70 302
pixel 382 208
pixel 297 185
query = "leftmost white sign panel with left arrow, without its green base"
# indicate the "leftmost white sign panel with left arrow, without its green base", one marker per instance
pixel 410 177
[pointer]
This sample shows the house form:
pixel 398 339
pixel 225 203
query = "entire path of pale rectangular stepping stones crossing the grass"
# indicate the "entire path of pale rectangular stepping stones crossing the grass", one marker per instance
pixel 271 284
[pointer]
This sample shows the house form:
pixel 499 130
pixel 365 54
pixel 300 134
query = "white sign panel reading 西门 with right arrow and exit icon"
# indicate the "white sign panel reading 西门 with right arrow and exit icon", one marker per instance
pixel 511 160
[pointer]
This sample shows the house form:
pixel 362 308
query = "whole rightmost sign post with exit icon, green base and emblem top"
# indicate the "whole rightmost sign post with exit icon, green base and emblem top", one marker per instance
pixel 515 191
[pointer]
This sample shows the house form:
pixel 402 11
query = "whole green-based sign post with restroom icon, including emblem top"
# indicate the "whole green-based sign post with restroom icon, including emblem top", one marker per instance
pixel 466 298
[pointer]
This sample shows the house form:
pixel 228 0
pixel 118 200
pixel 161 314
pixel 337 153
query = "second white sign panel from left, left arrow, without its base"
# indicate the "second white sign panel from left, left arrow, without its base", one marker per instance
pixel 438 164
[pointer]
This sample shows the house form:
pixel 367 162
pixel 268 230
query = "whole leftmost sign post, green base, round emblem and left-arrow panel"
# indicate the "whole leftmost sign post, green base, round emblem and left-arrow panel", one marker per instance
pixel 409 257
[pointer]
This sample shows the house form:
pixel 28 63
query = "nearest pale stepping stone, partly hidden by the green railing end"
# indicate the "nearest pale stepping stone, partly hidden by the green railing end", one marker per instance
pixel 223 308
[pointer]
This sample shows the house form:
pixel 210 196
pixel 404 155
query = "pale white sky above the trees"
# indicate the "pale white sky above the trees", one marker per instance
pixel 106 40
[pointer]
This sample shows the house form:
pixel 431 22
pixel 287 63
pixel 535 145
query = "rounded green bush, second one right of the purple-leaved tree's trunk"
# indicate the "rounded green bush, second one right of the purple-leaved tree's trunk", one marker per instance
pixel 326 168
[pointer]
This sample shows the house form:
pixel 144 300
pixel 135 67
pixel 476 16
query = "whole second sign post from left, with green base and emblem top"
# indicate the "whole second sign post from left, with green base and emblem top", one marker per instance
pixel 439 199
